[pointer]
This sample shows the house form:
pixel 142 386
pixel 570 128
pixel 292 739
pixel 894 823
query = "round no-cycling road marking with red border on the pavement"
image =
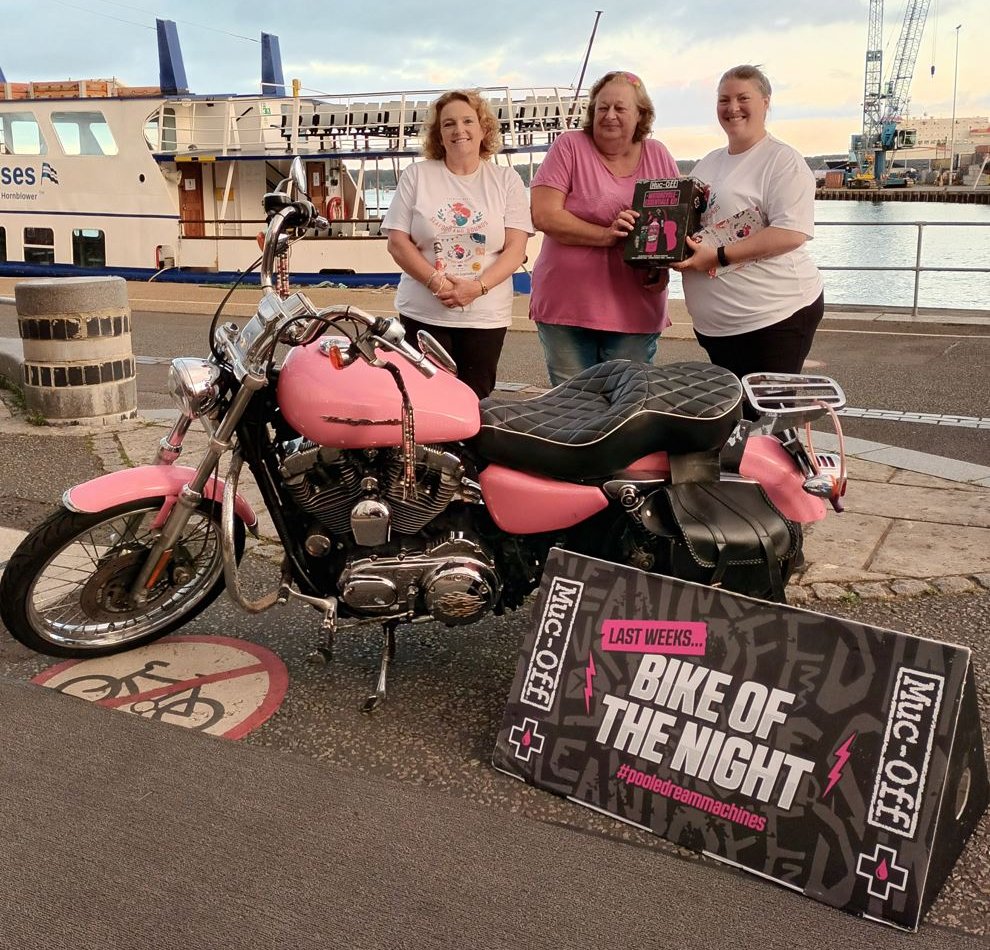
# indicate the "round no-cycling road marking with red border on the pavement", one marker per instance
pixel 261 671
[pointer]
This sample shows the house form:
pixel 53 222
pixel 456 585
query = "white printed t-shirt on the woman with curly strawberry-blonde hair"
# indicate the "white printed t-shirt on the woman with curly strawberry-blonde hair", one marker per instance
pixel 458 222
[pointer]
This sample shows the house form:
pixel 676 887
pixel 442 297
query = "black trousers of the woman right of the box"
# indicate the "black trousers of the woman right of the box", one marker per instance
pixel 779 348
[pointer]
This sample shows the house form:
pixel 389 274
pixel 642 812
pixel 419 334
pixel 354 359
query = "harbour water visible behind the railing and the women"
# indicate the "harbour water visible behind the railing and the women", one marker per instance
pixel 884 235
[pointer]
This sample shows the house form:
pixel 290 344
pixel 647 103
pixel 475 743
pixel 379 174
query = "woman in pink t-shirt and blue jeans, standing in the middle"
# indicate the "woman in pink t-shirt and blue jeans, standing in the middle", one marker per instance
pixel 588 304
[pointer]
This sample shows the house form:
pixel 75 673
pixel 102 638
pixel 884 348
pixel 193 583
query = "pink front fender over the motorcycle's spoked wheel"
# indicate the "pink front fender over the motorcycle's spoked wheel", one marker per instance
pixel 144 481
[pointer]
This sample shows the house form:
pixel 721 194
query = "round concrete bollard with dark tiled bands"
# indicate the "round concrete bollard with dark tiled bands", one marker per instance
pixel 78 360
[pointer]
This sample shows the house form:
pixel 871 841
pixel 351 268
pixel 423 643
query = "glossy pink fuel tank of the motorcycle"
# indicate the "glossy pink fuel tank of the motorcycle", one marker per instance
pixel 359 406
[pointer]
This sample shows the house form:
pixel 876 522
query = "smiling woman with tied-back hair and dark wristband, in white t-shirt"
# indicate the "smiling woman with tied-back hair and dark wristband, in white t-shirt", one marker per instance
pixel 755 302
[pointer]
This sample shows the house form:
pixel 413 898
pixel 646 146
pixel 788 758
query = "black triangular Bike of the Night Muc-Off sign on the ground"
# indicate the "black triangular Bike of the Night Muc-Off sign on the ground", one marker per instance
pixel 844 761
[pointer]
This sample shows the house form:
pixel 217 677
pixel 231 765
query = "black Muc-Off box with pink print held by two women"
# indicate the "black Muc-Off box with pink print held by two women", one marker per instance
pixel 669 210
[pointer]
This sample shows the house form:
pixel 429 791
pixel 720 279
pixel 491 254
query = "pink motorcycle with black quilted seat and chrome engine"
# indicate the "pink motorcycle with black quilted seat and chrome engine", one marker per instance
pixel 398 498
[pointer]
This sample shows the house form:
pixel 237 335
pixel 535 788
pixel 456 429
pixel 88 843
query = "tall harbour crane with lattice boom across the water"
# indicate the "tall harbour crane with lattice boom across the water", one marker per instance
pixel 884 101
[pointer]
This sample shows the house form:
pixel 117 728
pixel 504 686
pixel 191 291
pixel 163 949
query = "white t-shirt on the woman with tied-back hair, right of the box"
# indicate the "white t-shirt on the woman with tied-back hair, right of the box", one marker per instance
pixel 774 178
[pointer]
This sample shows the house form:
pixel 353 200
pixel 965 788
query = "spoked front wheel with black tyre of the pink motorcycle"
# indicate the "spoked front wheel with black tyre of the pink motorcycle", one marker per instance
pixel 66 591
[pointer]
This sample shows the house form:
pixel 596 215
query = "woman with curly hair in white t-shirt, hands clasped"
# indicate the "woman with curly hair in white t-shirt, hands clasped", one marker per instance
pixel 457 226
